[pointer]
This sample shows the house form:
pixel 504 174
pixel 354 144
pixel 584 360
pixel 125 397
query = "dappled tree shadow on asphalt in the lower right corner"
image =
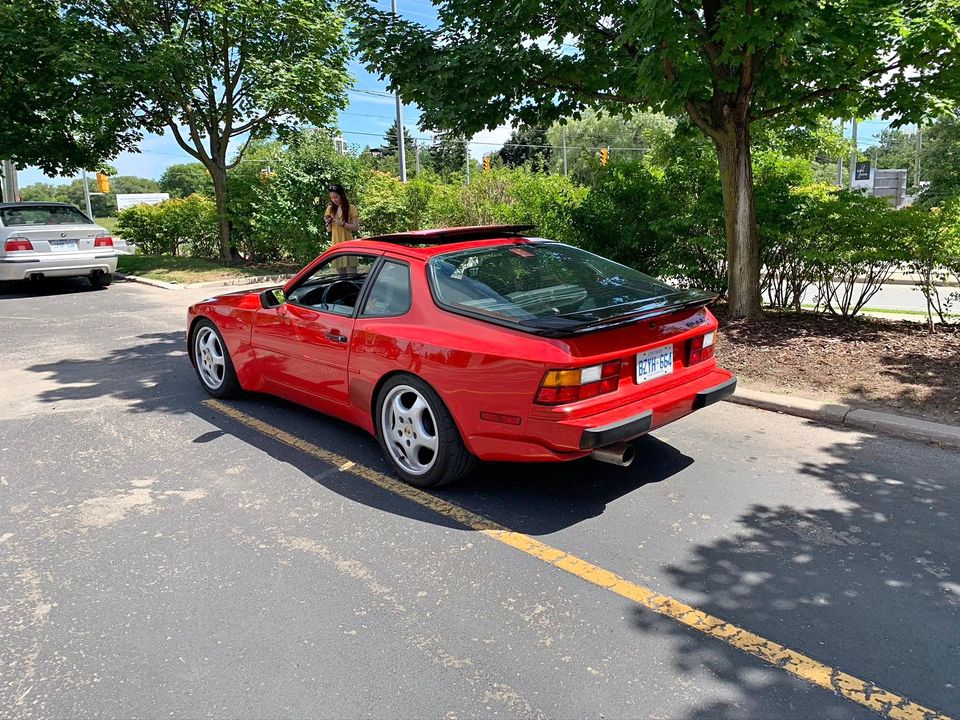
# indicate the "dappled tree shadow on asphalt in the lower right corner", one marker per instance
pixel 872 588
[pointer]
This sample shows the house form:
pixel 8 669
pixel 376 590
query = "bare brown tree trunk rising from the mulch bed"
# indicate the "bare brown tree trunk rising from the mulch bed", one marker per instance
pixel 740 216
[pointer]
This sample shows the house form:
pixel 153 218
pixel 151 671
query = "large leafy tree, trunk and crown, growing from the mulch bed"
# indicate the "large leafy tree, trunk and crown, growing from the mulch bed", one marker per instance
pixel 726 64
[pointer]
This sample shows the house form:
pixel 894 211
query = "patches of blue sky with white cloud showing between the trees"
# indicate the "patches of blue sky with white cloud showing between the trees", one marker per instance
pixel 370 112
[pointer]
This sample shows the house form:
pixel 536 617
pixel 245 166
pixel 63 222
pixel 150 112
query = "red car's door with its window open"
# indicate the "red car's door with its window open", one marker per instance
pixel 303 345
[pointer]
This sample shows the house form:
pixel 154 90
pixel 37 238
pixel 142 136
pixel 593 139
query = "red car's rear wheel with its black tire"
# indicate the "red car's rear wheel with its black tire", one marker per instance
pixel 451 460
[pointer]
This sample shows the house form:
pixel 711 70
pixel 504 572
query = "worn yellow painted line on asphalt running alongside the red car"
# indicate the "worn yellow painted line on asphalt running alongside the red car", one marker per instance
pixel 884 702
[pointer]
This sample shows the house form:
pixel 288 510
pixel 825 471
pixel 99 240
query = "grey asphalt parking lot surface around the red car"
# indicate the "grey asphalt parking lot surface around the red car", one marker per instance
pixel 162 558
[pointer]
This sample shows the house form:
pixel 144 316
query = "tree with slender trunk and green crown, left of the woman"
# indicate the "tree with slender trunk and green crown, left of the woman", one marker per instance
pixel 218 72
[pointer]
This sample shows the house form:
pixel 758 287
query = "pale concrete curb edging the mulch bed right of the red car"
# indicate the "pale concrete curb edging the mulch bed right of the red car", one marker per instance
pixel 847 416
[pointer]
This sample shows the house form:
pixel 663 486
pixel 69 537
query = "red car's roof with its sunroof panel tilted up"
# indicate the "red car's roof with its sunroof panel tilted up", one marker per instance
pixel 427 243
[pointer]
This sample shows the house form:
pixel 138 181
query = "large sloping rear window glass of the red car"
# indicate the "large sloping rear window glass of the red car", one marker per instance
pixel 548 286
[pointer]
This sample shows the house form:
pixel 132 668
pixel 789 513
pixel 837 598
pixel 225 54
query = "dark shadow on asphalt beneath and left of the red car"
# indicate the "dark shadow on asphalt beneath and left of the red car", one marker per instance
pixel 153 374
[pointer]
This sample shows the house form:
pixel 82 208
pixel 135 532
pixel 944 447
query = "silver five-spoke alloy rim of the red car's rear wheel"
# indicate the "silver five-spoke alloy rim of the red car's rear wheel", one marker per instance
pixel 409 430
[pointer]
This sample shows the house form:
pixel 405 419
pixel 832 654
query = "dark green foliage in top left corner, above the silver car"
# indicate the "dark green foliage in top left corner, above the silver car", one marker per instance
pixel 62 109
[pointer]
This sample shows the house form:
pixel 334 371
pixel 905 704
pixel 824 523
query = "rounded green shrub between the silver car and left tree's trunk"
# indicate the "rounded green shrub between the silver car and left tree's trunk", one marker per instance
pixel 181 226
